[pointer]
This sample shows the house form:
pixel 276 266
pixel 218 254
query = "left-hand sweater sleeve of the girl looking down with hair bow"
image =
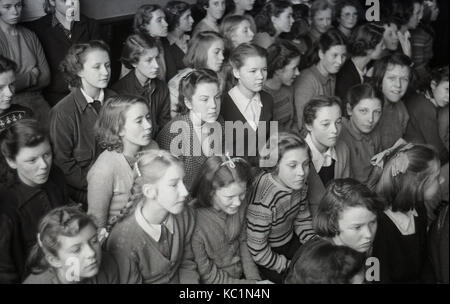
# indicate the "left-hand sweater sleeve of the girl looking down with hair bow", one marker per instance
pixel 208 270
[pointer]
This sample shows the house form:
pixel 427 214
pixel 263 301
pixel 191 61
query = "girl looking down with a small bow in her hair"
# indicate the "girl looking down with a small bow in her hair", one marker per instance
pixel 221 253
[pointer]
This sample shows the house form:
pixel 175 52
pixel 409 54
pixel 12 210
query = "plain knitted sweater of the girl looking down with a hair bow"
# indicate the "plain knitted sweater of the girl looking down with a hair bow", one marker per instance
pixel 222 260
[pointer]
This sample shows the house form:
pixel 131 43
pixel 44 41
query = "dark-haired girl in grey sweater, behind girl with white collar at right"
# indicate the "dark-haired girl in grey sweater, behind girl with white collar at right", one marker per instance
pixel 320 78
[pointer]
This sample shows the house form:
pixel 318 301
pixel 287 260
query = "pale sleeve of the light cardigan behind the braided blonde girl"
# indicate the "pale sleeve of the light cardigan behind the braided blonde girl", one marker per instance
pixel 100 180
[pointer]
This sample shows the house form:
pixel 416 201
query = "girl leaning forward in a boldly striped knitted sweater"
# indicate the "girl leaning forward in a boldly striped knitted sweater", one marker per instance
pixel 278 215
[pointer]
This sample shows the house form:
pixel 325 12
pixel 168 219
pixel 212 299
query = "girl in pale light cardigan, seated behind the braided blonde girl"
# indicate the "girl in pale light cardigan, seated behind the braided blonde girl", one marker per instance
pixel 123 129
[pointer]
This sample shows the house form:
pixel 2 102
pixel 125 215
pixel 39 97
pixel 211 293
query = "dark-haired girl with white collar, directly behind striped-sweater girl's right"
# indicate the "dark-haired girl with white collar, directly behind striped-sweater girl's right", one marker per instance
pixel 323 124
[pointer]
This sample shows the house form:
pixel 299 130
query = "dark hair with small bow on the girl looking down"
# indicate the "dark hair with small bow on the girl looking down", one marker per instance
pixel 217 173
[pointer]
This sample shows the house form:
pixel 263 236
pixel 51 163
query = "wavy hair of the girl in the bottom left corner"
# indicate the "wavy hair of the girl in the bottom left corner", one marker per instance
pixel 65 221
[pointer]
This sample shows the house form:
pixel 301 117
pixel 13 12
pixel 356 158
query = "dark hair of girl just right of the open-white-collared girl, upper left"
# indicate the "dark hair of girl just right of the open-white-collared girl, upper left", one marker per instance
pixel 134 47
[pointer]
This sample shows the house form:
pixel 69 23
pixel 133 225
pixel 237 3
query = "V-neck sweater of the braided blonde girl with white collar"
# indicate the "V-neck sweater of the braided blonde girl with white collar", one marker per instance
pixel 140 260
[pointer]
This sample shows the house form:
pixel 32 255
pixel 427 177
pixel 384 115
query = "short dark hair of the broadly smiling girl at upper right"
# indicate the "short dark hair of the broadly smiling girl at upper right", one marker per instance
pixel 388 62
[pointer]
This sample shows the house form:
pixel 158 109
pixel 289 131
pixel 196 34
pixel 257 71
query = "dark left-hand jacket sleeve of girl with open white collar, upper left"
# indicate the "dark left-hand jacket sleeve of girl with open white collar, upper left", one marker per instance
pixel 60 134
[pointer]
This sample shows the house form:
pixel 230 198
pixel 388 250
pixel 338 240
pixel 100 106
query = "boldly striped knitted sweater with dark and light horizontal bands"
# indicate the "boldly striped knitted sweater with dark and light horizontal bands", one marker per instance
pixel 274 214
